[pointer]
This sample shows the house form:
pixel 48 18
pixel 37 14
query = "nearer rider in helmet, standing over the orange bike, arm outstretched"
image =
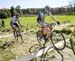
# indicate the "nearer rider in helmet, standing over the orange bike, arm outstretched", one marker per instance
pixel 41 19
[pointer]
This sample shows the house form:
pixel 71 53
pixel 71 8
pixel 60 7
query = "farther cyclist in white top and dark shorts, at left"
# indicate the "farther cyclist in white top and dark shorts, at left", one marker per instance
pixel 15 22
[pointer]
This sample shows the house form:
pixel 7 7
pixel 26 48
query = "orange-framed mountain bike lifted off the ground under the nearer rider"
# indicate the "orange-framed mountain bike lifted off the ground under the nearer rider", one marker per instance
pixel 52 35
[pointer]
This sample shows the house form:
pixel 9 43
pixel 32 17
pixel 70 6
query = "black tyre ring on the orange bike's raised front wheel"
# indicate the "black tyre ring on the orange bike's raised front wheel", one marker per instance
pixel 63 38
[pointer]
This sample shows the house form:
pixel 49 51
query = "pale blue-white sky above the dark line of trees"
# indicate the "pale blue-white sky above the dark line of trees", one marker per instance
pixel 33 3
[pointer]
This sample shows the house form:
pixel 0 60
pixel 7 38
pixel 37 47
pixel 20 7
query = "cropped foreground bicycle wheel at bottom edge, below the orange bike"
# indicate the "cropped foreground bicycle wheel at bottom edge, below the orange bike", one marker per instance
pixel 54 54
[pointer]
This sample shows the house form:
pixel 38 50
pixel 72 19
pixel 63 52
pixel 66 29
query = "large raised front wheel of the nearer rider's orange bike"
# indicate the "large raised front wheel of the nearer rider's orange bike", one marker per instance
pixel 58 37
